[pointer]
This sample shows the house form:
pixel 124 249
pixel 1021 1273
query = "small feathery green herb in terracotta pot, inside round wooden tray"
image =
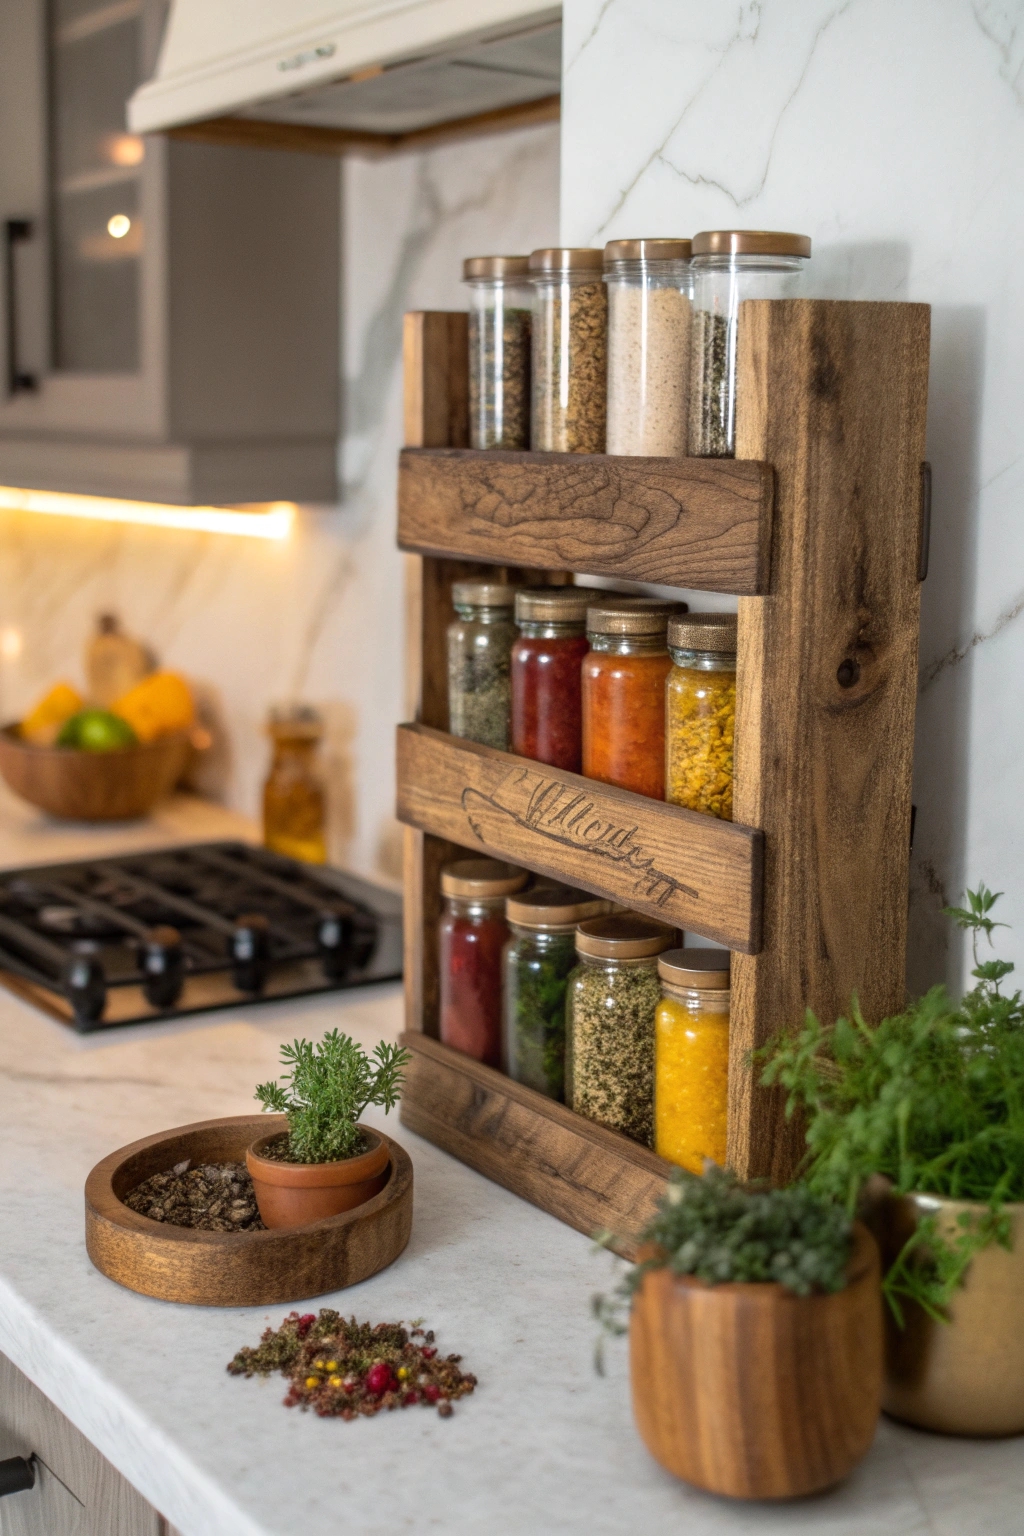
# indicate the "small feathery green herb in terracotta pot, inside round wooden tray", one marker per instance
pixel 326 1162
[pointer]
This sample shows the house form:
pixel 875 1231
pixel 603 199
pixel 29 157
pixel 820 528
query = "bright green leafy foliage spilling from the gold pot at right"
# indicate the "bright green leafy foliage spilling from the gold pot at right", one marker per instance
pixel 933 1099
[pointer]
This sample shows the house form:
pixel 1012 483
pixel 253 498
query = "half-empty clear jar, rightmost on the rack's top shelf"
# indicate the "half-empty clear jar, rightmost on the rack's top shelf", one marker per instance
pixel 728 266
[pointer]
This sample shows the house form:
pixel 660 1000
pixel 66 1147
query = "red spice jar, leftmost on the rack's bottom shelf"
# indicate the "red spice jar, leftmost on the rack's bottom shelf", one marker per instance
pixel 472 936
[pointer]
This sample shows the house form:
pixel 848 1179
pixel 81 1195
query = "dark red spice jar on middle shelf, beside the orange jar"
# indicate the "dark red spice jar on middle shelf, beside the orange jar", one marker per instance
pixel 546 675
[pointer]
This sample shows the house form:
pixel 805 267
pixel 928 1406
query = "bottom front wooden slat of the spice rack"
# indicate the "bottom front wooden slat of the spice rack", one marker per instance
pixel 584 1174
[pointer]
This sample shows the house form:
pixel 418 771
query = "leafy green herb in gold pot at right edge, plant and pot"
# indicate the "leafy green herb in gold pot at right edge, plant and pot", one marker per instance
pixel 920 1122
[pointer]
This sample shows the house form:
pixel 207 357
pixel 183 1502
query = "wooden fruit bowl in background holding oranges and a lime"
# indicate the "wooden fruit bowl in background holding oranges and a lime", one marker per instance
pixel 94 787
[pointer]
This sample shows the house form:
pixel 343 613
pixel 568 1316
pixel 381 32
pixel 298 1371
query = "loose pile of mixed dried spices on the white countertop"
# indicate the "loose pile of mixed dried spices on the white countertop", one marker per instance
pixel 345 1369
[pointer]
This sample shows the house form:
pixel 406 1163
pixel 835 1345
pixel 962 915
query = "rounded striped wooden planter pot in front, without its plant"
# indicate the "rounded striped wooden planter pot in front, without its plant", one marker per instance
pixel 755 1392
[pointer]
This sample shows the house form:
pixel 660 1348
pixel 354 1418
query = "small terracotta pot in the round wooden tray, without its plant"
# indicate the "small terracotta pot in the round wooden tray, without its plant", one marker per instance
pixel 294 1194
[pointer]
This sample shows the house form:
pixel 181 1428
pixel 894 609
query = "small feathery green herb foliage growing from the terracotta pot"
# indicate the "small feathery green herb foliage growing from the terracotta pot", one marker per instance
pixel 328 1091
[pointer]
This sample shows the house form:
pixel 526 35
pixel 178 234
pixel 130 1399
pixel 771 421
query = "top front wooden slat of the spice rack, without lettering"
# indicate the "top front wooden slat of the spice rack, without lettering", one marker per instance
pixel 684 523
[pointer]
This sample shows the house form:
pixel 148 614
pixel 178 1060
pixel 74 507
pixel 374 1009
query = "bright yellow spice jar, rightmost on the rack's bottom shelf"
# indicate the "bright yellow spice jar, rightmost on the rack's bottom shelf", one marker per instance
pixel 692 1058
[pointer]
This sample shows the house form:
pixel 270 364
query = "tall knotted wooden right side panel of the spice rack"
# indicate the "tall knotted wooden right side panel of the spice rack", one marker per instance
pixel 834 397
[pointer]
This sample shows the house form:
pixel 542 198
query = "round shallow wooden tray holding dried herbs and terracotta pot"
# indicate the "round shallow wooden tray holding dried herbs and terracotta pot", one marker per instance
pixel 237 1270
